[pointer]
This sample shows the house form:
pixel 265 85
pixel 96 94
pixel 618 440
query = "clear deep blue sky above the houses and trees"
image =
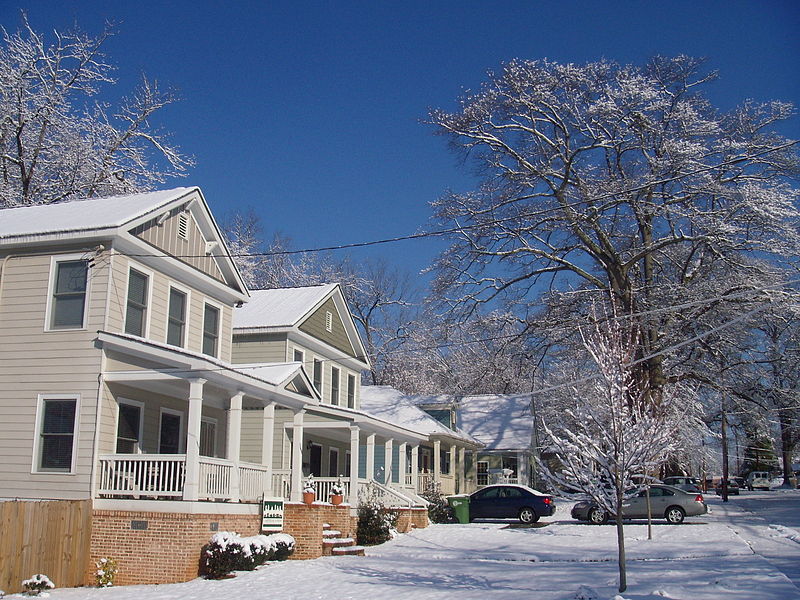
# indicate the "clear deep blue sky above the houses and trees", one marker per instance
pixel 310 112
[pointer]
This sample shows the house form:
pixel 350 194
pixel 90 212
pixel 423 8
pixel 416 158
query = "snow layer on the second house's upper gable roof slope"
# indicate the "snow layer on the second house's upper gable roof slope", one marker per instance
pixel 280 307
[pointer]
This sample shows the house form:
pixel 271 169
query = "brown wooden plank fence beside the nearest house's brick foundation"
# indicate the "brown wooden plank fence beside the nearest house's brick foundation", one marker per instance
pixel 50 537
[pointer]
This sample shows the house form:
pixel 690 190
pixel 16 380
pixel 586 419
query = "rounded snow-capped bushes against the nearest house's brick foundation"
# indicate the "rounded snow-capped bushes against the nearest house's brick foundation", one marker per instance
pixel 227 552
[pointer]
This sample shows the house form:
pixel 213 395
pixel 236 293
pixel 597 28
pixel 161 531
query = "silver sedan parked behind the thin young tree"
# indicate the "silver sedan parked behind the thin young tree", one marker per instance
pixel 666 502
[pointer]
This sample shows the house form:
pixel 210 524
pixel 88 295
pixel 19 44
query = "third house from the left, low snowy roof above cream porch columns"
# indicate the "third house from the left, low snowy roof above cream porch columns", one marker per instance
pixel 443 458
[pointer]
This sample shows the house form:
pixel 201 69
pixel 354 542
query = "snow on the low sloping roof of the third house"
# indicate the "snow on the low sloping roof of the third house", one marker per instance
pixel 389 404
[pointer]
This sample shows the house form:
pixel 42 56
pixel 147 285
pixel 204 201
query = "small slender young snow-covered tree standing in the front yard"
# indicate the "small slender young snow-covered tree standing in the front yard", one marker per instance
pixel 612 436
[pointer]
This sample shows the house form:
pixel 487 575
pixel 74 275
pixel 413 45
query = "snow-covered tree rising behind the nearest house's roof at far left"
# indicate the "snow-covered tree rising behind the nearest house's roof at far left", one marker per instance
pixel 57 142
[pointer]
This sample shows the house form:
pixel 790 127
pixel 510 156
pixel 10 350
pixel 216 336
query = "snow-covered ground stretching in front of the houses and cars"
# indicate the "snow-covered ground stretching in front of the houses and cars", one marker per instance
pixel 742 550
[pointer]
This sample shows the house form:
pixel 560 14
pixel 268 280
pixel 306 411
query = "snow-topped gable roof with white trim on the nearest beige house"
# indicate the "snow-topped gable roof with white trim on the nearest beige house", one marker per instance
pixel 96 220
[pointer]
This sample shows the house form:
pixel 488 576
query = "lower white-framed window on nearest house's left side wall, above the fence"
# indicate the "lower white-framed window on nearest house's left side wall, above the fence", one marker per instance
pixel 58 417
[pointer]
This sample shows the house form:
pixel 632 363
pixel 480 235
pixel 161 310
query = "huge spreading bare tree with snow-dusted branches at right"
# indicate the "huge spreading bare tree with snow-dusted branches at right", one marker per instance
pixel 601 180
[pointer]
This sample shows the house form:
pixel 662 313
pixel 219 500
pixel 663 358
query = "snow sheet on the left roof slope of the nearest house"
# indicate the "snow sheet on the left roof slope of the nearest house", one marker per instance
pixel 82 215
